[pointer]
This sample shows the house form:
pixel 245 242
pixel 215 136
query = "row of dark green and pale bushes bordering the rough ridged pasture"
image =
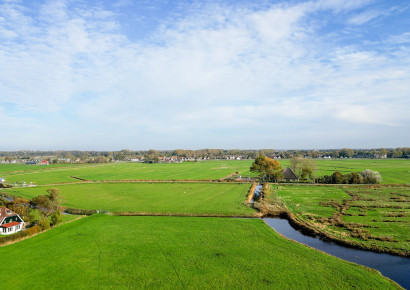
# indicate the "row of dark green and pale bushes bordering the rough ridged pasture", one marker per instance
pixel 365 177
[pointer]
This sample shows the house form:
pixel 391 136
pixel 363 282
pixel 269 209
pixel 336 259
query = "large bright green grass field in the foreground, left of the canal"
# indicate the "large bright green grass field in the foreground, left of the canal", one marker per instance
pixel 174 253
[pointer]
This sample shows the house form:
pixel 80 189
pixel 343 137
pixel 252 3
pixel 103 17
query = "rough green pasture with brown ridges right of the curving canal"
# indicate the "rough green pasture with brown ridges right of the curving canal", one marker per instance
pixel 376 217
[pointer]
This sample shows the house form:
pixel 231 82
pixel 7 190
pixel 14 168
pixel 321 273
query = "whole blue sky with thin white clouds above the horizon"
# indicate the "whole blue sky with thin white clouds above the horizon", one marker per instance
pixel 162 74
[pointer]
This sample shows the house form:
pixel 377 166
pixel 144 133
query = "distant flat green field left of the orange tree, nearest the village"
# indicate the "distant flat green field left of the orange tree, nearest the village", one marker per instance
pixel 133 171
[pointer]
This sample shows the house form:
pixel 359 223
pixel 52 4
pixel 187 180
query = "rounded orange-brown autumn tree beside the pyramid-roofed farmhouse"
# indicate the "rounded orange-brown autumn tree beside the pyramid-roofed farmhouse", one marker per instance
pixel 269 170
